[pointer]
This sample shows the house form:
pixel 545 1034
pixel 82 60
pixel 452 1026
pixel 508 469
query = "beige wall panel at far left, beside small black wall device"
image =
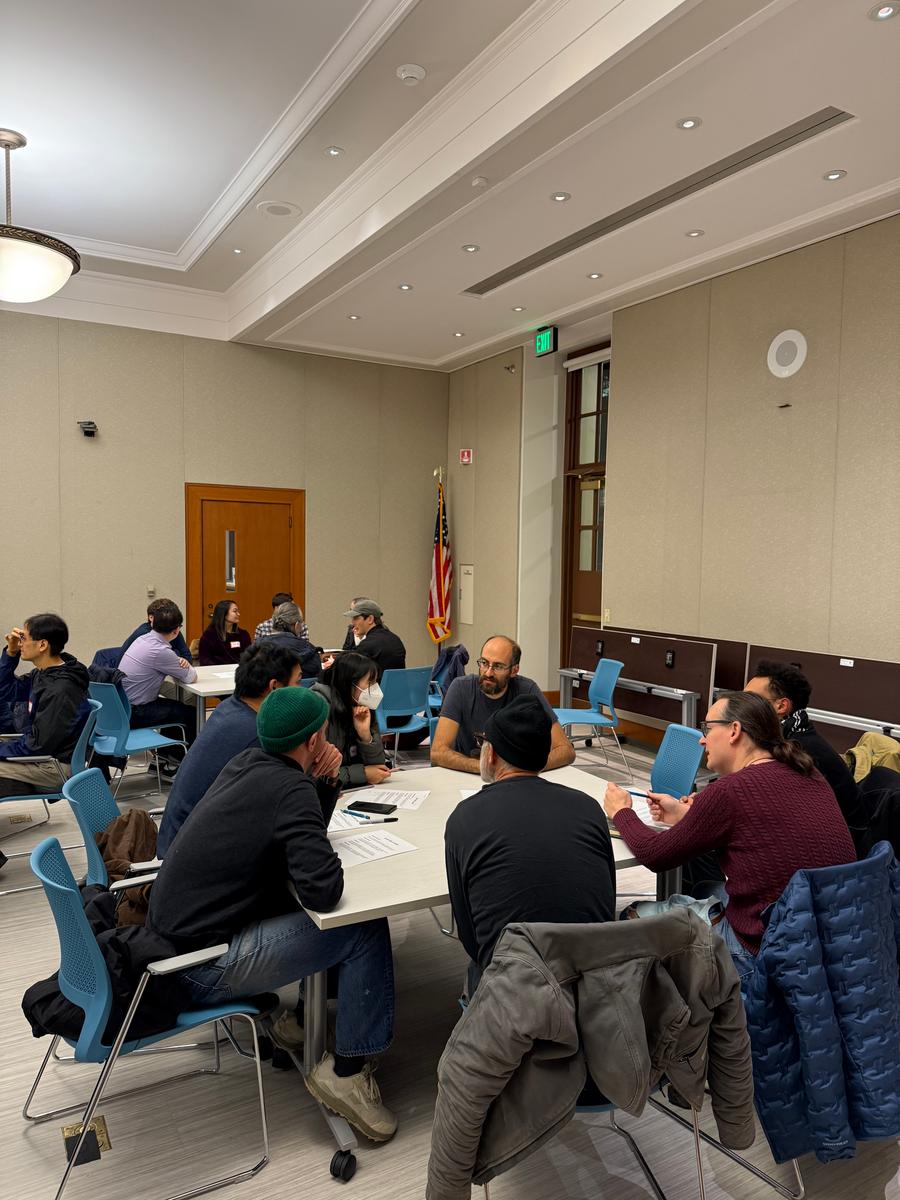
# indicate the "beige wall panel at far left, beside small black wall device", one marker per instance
pixel 29 497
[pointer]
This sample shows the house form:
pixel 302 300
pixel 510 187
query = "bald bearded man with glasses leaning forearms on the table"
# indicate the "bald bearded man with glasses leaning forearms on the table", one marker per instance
pixel 472 700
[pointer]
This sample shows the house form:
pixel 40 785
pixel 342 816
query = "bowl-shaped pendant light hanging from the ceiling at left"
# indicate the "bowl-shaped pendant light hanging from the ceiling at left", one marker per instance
pixel 33 266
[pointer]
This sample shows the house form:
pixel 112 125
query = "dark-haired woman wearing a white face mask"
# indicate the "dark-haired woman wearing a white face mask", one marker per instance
pixel 351 688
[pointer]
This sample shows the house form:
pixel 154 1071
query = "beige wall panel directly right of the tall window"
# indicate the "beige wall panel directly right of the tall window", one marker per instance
pixel 656 454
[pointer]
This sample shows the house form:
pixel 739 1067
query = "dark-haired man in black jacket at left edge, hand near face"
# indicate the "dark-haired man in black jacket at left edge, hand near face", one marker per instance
pixel 53 699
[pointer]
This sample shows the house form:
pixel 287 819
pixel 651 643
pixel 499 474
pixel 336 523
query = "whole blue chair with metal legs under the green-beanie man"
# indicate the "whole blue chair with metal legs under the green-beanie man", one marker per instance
pixel 85 981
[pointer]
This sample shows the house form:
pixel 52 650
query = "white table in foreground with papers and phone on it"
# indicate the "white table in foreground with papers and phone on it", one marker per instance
pixel 407 883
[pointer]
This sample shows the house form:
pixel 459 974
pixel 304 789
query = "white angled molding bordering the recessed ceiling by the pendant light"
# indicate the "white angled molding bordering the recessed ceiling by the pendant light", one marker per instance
pixel 371 28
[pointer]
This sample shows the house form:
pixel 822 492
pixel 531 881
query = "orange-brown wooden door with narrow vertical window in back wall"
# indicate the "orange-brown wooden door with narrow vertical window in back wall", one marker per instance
pixel 244 544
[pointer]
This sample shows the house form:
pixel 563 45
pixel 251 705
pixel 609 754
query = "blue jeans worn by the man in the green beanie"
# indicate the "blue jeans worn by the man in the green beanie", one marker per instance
pixel 283 950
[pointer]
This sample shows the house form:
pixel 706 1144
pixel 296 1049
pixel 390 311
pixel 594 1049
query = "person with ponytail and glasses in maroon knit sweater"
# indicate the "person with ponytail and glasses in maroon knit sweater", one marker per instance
pixel 771 814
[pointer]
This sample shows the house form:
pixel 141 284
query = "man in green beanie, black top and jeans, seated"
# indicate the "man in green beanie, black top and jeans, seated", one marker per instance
pixel 261 827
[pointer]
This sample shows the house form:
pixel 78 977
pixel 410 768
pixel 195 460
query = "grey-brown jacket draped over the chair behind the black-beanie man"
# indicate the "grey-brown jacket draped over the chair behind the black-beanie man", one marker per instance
pixel 637 999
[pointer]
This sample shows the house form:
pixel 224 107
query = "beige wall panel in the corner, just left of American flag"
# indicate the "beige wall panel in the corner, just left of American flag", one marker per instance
pixel 413 443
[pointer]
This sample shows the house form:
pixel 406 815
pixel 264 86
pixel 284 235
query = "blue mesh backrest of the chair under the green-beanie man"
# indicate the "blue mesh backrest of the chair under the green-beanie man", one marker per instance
pixel 83 975
